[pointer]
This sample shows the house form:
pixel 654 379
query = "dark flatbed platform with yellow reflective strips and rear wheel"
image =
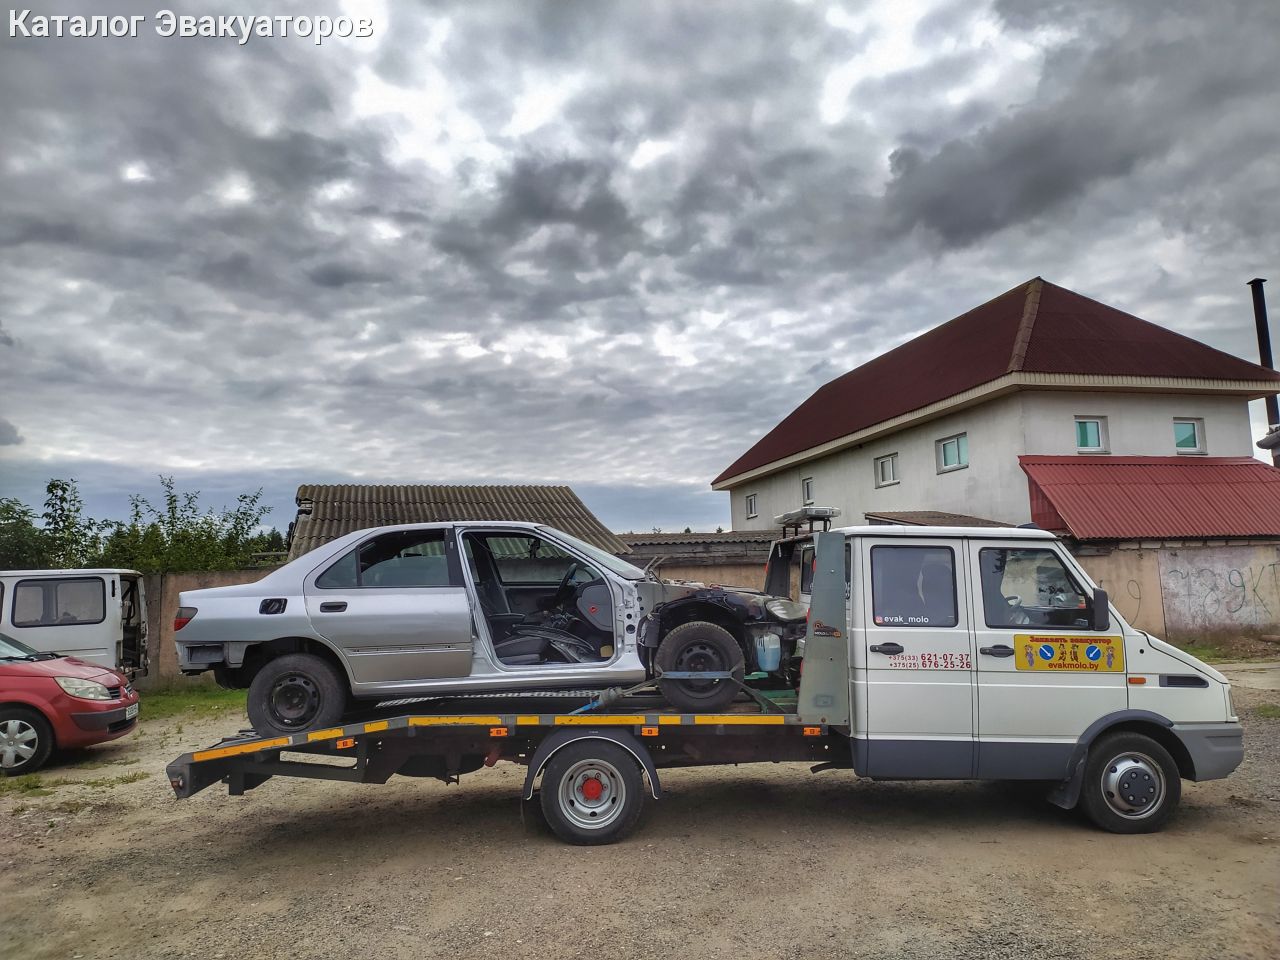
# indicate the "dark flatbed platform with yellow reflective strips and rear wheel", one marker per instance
pixel 595 762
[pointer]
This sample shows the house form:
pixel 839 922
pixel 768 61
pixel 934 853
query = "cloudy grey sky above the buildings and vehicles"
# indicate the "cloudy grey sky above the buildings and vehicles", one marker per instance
pixel 600 244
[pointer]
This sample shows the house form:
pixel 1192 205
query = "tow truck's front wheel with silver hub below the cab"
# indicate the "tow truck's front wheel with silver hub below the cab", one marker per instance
pixel 1132 785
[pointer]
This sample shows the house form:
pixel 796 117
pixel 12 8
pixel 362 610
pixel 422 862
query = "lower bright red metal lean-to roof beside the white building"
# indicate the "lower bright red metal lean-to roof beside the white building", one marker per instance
pixel 1154 499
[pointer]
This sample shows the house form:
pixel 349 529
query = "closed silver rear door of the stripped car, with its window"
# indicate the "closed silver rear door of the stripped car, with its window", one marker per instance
pixel 396 607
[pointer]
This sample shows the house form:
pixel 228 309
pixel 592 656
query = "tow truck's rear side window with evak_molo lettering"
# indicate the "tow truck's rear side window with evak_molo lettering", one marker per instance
pixel 915 587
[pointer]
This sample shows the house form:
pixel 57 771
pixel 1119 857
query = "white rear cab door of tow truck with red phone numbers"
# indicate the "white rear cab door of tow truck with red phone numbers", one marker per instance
pixel 920 660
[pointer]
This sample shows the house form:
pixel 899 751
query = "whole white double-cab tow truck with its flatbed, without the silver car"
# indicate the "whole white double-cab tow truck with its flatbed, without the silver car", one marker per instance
pixel 918 665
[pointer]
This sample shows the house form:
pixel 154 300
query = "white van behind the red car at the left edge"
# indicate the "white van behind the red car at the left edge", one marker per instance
pixel 97 615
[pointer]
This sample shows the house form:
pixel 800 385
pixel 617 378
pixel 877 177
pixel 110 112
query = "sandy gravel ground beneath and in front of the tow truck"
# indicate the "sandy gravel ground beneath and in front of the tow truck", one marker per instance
pixel 749 862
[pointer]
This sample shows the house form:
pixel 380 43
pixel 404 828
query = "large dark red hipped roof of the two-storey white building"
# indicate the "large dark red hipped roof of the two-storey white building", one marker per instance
pixel 1034 328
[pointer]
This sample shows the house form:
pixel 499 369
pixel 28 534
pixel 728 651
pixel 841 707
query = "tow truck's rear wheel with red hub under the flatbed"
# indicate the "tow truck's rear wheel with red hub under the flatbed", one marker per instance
pixel 592 793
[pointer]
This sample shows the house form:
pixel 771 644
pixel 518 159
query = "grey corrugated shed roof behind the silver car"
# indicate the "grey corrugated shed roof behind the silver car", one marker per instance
pixel 328 511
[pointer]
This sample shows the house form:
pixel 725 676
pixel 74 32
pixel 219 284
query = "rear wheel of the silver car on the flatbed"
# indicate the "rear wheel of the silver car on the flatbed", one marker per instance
pixel 295 693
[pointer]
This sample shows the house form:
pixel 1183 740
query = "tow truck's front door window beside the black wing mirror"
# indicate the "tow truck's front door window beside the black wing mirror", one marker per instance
pixel 1031 588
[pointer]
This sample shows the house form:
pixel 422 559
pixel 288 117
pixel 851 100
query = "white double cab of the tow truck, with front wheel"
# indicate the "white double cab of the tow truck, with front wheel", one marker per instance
pixel 989 653
